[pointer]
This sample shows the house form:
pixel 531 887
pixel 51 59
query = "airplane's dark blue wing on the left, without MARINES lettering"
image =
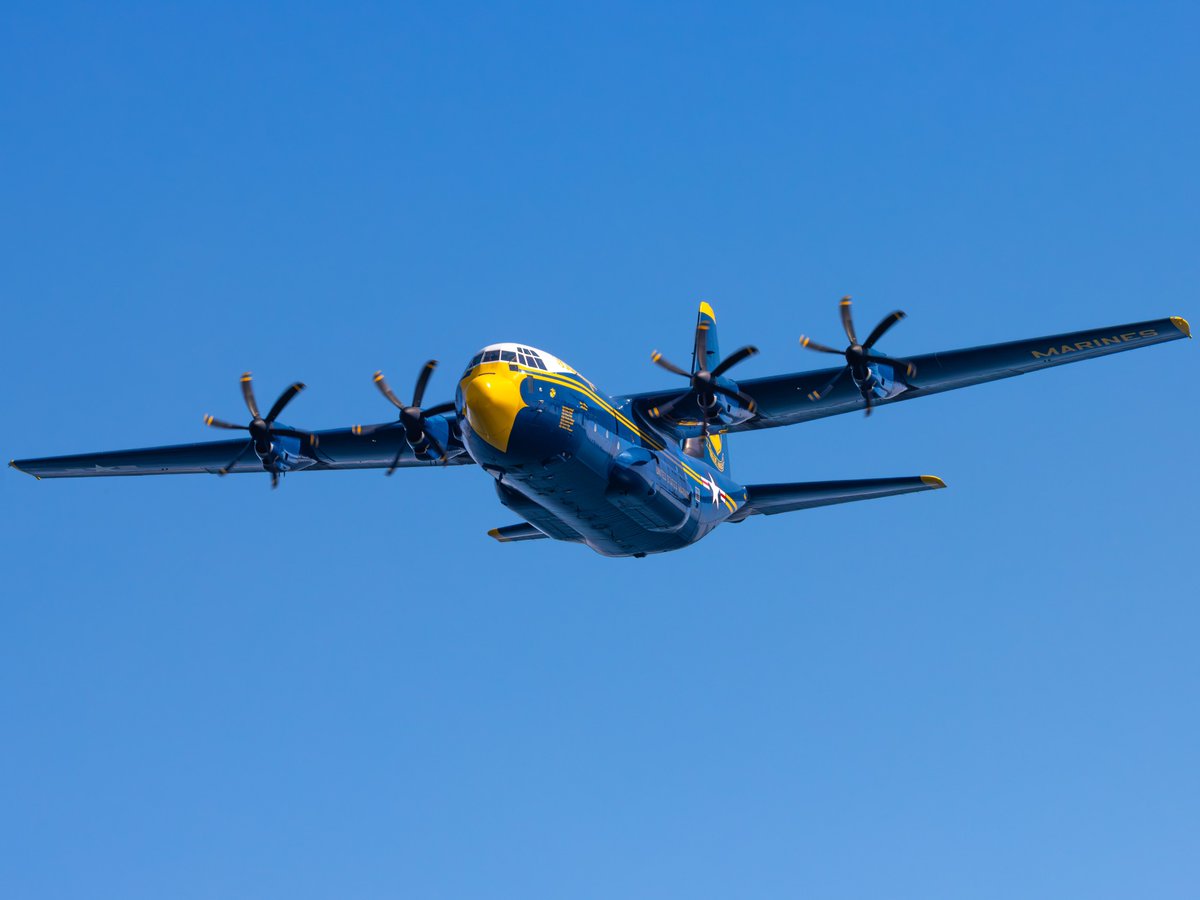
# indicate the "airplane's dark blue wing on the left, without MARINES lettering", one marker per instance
pixel 337 449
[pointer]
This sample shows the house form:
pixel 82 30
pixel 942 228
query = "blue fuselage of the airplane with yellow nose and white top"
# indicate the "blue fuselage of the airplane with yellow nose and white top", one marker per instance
pixel 580 469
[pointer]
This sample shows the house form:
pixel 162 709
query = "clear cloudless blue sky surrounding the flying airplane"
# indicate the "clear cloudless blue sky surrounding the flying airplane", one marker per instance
pixel 346 689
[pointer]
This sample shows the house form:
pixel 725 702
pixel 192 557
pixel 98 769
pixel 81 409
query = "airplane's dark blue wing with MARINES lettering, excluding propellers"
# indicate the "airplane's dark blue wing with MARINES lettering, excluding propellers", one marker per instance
pixel 785 400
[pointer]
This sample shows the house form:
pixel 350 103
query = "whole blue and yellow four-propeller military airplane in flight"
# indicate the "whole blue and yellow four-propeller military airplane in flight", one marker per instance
pixel 625 476
